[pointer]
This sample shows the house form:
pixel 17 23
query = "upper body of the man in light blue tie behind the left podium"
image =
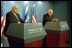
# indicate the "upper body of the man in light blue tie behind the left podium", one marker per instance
pixel 13 17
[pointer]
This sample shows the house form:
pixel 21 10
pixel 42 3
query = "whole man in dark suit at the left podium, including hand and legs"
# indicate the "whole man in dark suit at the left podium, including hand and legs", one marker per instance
pixel 13 17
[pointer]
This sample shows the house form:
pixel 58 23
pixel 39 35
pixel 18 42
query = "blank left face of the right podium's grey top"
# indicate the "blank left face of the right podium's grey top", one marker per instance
pixel 52 26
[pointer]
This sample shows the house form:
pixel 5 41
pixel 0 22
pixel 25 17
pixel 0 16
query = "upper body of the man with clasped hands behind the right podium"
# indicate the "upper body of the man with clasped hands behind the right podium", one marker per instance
pixel 49 17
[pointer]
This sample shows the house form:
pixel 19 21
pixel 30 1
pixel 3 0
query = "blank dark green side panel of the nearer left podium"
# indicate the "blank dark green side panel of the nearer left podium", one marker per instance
pixel 16 30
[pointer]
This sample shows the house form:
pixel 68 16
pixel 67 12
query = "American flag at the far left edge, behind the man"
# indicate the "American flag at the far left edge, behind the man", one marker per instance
pixel 3 17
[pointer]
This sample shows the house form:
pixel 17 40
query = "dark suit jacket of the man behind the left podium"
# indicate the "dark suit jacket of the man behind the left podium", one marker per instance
pixel 11 18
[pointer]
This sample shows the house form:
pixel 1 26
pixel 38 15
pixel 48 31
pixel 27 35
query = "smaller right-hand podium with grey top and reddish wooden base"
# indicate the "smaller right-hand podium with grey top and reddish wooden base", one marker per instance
pixel 56 33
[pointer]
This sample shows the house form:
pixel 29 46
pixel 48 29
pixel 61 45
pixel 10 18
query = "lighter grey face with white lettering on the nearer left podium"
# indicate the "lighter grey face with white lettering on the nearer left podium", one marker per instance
pixel 33 32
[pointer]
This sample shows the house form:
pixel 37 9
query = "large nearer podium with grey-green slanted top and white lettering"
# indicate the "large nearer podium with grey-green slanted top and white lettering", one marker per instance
pixel 26 34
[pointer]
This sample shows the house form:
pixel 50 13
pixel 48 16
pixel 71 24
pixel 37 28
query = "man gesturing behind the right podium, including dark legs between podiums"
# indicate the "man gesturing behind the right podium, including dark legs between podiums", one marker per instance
pixel 48 17
